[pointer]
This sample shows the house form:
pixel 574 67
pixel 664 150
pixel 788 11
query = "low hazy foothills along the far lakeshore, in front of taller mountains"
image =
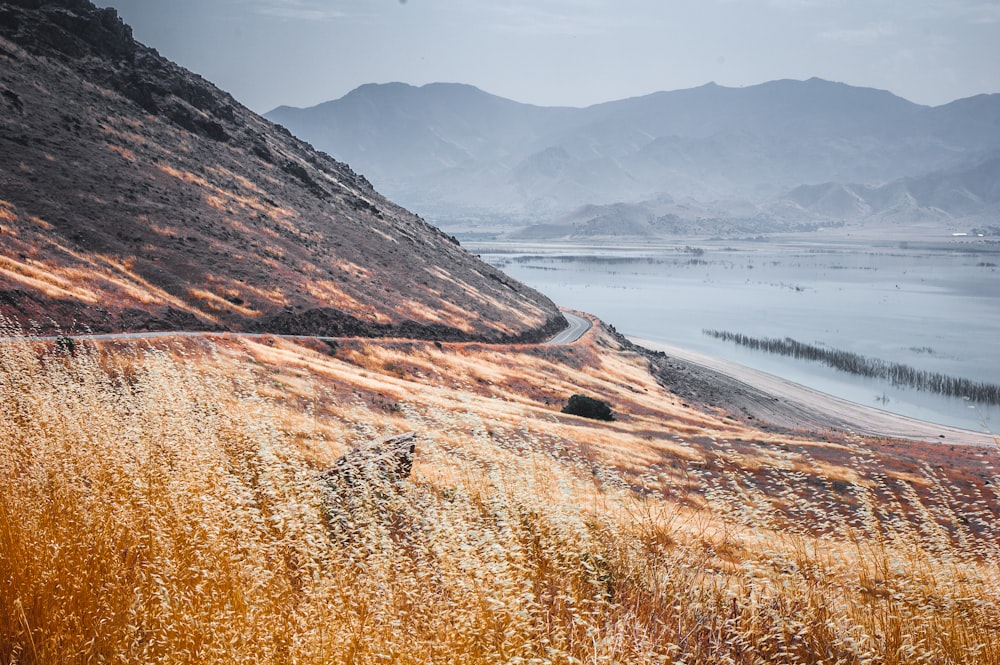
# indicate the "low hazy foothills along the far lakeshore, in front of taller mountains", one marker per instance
pixel 961 200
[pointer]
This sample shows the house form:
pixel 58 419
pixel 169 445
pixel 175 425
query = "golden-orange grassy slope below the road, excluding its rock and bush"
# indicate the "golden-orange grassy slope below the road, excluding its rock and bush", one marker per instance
pixel 161 504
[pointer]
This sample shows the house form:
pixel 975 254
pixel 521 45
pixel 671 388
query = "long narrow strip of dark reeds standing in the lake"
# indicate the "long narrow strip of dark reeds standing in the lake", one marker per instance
pixel 896 373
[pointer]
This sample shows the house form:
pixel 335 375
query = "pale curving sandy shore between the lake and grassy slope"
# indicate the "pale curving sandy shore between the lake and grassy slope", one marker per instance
pixel 755 395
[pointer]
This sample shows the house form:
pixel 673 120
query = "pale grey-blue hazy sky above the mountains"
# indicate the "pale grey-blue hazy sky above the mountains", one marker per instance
pixel 573 52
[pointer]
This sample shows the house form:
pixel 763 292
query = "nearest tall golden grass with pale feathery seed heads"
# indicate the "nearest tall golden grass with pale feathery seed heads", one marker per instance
pixel 154 508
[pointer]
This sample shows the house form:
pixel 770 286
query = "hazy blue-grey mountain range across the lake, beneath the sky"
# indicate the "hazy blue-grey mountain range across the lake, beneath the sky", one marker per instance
pixel 465 157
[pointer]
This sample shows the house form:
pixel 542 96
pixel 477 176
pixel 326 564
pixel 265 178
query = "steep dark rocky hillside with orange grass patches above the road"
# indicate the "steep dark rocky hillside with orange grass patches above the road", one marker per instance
pixel 136 195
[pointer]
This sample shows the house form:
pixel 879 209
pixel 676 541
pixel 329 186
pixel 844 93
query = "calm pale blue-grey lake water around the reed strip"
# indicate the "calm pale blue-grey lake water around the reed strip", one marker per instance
pixel 933 307
